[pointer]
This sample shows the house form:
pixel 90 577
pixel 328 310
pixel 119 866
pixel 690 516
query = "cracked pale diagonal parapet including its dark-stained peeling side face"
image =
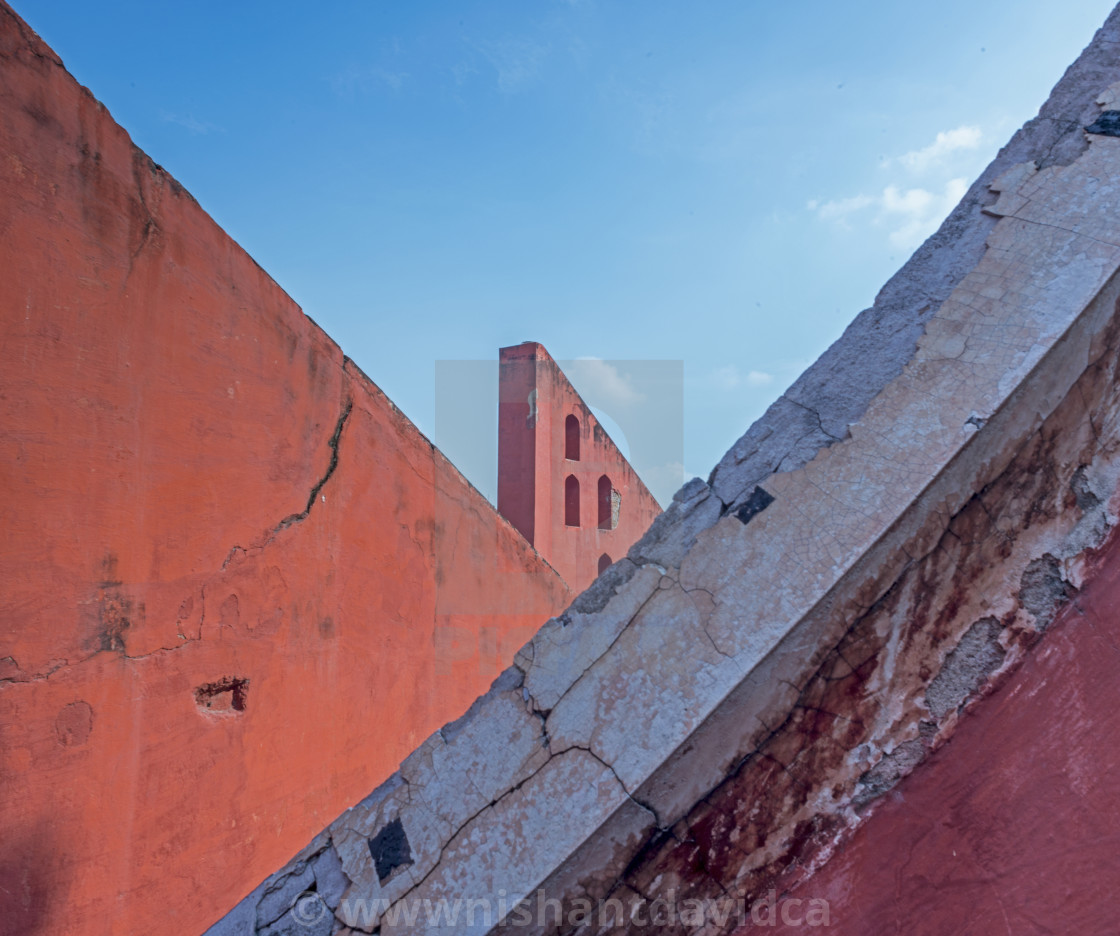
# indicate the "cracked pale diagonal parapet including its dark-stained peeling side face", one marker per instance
pixel 984 371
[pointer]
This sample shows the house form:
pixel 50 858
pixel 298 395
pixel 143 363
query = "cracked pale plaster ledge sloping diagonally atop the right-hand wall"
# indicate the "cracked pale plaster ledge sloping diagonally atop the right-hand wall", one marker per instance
pixel 633 707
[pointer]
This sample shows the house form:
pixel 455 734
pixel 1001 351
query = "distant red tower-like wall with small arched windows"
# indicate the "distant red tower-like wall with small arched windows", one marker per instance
pixel 535 401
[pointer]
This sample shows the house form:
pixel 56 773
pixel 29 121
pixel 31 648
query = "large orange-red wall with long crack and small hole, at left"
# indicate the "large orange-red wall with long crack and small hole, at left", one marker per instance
pixel 167 415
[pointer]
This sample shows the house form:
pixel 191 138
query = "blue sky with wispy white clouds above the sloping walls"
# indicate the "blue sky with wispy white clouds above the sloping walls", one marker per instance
pixel 725 184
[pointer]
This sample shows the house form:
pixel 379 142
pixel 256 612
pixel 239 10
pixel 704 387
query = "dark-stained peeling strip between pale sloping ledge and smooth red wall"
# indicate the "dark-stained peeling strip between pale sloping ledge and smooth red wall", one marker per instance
pixel 888 687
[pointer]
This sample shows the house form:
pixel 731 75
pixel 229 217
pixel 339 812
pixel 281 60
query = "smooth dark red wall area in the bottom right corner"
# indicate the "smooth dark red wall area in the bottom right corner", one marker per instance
pixel 1014 827
